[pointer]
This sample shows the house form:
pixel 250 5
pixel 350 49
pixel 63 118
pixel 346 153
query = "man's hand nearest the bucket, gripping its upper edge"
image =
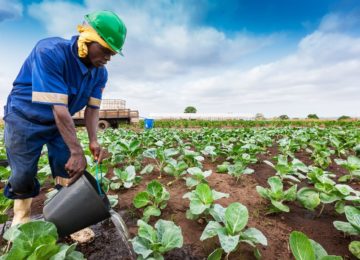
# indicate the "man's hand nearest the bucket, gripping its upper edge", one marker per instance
pixel 75 166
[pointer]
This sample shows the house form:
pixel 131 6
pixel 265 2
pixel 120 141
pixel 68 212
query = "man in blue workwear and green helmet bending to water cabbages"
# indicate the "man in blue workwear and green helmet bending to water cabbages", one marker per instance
pixel 58 78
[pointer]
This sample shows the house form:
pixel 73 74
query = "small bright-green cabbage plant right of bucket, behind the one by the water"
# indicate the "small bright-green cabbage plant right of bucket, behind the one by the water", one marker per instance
pixel 154 198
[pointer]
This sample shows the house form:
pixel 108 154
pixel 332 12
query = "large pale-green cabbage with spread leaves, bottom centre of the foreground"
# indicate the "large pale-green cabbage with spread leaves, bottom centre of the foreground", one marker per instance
pixel 229 226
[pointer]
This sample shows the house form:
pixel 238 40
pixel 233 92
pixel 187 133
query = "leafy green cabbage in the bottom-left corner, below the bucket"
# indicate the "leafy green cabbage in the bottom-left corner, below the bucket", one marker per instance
pixel 37 240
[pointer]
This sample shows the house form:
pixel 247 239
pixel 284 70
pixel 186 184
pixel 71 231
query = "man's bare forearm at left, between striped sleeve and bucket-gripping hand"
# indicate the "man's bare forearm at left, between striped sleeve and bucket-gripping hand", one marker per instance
pixel 66 127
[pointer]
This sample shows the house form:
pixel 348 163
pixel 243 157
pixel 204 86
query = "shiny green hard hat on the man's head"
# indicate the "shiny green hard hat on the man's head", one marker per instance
pixel 110 27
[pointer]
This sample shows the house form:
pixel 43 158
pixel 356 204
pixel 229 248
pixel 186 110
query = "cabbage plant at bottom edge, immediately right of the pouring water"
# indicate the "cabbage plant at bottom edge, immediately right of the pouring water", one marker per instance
pixel 152 243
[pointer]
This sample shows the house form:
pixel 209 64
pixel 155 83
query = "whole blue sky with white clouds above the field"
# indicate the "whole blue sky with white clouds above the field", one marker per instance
pixel 247 56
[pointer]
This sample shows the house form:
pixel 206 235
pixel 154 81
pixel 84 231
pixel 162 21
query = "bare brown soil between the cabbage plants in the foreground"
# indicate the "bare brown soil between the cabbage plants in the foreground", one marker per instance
pixel 275 227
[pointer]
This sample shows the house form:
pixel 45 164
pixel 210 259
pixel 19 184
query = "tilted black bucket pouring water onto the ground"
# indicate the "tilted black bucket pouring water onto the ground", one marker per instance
pixel 77 206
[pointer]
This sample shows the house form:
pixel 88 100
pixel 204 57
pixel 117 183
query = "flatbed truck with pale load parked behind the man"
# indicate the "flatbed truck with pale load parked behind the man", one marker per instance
pixel 112 113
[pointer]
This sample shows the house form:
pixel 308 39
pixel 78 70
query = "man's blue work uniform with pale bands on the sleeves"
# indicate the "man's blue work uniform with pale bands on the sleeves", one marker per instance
pixel 53 74
